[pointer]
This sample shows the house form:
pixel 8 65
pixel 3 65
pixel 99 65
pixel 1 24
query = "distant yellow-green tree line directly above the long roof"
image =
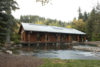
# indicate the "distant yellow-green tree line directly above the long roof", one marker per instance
pixel 41 20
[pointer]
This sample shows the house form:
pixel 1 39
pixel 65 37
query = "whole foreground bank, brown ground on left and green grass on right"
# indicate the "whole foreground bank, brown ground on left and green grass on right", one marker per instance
pixel 7 60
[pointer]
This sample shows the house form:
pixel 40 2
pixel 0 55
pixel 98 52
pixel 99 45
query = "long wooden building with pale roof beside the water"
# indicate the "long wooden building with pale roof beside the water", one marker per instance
pixel 34 33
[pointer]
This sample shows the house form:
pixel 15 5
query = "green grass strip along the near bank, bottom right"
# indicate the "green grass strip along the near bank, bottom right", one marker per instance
pixel 70 63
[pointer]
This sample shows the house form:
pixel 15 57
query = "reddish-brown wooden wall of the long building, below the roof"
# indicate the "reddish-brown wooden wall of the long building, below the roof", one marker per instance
pixel 49 37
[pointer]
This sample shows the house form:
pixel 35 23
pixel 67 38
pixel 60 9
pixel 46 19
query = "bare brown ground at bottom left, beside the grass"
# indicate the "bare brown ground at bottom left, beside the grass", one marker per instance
pixel 7 60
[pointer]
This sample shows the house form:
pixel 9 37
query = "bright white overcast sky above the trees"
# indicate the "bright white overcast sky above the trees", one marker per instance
pixel 64 10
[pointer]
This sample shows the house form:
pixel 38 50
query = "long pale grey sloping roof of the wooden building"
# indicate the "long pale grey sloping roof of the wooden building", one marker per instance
pixel 53 29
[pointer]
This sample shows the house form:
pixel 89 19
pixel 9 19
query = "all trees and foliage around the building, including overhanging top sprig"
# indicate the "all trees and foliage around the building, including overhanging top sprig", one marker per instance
pixel 86 22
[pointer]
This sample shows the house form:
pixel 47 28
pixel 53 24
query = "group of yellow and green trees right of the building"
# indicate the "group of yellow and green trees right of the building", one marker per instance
pixel 89 23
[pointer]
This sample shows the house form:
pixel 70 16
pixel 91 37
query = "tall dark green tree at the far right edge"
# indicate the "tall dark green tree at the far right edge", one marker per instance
pixel 93 24
